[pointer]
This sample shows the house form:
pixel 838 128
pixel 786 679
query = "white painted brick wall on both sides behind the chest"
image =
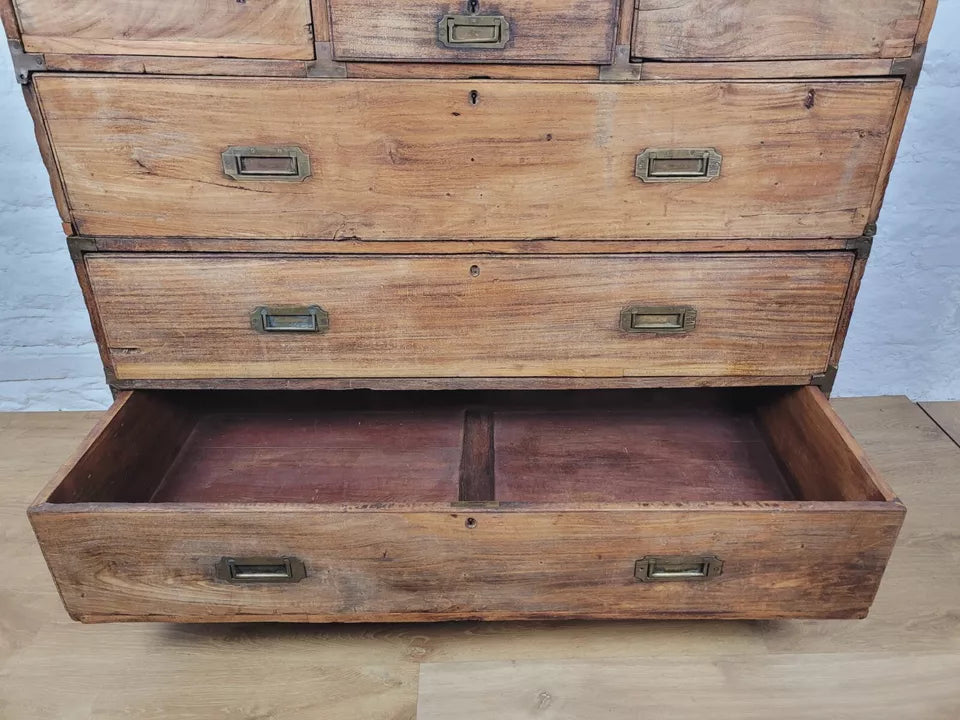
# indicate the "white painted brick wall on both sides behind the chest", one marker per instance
pixel 904 338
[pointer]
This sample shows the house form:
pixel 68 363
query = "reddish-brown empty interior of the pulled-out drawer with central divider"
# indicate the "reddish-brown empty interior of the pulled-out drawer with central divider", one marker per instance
pixel 512 448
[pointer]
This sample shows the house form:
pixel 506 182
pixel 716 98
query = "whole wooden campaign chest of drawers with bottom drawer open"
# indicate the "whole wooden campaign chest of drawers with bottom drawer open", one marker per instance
pixel 431 310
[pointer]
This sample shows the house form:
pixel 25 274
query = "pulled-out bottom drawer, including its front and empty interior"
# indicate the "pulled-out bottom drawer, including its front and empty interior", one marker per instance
pixel 356 506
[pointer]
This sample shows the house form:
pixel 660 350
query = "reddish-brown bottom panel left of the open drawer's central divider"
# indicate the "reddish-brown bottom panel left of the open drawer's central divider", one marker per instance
pixel 316 457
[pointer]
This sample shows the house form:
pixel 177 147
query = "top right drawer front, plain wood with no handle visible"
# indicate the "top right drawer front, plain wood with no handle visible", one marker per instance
pixel 774 29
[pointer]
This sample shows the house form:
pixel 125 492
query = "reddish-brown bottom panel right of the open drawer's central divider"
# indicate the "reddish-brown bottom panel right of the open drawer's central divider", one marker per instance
pixel 673 453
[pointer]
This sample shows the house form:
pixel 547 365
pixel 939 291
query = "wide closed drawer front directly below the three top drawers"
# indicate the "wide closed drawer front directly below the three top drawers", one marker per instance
pixel 419 159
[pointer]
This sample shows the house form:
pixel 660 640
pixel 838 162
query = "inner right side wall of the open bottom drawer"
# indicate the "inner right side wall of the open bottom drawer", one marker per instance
pixel 805 413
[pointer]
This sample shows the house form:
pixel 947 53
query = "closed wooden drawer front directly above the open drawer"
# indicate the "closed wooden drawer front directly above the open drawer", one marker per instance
pixel 188 316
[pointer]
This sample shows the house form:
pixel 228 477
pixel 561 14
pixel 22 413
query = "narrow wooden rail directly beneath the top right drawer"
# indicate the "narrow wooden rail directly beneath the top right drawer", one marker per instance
pixel 773 69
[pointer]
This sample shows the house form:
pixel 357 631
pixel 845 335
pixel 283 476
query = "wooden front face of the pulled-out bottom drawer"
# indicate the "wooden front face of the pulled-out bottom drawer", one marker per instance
pixel 383 566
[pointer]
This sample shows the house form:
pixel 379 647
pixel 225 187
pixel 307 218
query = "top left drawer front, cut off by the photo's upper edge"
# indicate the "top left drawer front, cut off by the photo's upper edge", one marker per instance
pixel 277 29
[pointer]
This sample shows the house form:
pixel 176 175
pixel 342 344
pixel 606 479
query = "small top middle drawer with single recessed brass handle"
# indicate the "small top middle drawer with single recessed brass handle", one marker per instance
pixel 536 31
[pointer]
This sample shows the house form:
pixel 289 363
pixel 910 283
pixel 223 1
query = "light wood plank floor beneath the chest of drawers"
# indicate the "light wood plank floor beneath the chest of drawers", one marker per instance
pixel 902 663
